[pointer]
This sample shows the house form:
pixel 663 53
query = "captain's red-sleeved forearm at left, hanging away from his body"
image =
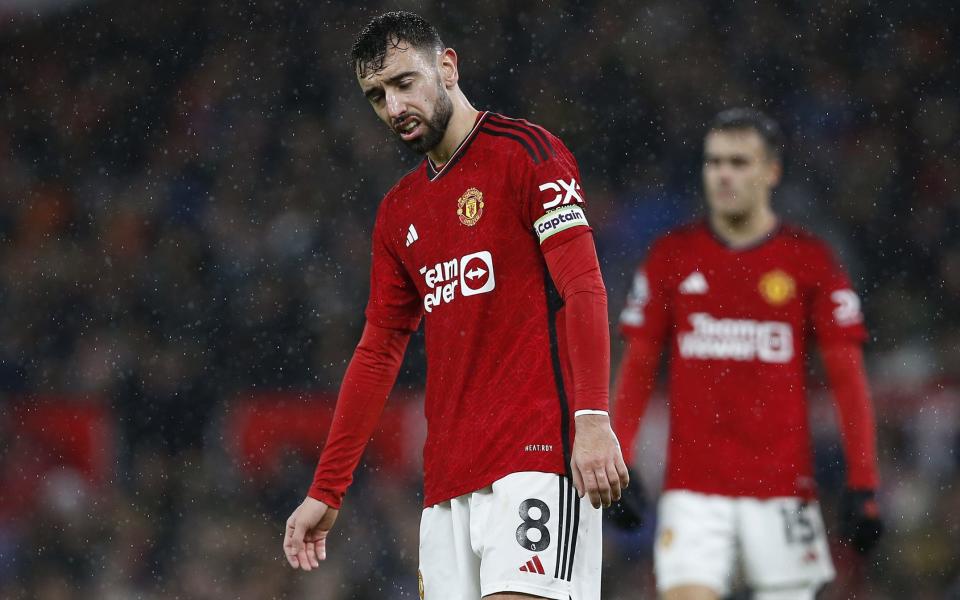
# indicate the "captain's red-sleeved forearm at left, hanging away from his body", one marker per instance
pixel 366 384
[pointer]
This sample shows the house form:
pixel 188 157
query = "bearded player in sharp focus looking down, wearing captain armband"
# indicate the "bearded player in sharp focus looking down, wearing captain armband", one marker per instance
pixel 487 242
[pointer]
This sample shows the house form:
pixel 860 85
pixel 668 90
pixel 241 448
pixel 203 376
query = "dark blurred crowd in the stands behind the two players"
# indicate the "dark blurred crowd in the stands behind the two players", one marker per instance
pixel 186 196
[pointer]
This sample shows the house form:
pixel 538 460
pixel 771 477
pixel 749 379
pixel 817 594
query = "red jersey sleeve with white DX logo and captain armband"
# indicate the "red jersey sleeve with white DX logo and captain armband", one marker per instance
pixel 553 198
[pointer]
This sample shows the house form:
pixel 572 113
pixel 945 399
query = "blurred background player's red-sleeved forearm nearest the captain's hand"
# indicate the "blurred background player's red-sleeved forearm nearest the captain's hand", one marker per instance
pixel 634 386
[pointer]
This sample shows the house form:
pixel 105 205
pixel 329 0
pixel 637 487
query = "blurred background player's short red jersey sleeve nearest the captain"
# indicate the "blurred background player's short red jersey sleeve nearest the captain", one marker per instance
pixel 647 312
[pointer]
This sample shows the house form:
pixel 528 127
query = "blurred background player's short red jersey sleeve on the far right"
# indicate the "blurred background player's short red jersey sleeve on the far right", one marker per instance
pixel 836 306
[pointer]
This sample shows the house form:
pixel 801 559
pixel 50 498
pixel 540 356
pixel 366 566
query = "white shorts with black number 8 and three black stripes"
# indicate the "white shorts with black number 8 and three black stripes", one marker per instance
pixel 529 532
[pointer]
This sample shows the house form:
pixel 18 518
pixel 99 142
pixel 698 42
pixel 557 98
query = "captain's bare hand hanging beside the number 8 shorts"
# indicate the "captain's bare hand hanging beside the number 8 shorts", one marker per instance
pixel 596 463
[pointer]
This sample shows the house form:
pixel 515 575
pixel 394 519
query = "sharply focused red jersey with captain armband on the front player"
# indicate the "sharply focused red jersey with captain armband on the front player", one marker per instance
pixel 463 247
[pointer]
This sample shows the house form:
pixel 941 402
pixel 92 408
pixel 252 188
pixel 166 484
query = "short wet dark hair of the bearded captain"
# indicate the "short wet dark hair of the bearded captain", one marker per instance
pixel 387 31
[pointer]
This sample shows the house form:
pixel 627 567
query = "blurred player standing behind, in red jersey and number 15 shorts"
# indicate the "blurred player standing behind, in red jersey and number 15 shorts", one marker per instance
pixel 737 297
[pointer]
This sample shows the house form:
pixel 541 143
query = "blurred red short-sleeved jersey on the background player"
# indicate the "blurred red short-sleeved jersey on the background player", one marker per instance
pixel 739 321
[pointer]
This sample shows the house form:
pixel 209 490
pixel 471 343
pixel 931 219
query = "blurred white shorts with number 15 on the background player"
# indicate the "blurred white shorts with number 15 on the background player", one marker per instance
pixel 780 543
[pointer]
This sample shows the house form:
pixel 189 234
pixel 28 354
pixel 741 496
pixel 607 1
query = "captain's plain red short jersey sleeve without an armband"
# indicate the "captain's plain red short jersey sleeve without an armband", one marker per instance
pixel 394 302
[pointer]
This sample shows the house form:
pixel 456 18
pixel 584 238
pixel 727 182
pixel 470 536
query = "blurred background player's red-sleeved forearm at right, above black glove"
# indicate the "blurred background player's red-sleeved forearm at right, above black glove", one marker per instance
pixel 845 370
